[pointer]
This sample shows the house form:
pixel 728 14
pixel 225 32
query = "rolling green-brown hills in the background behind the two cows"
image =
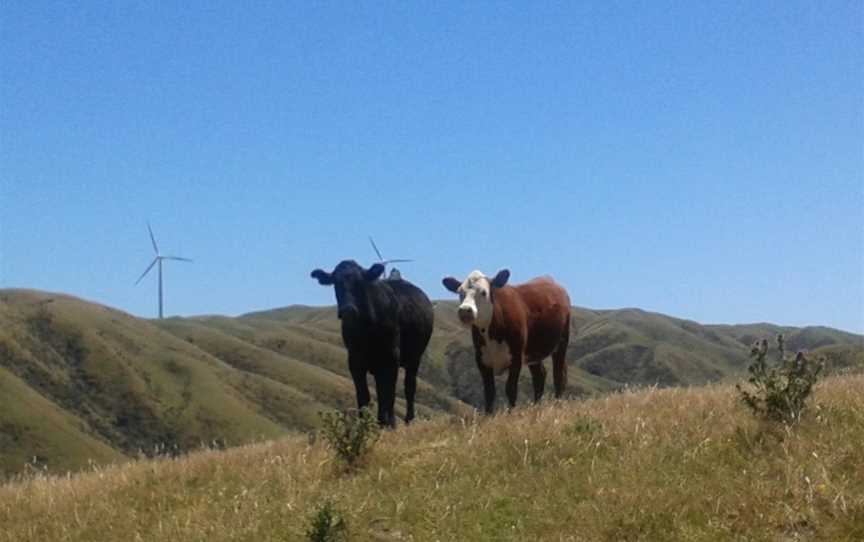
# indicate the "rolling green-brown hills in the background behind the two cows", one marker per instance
pixel 82 383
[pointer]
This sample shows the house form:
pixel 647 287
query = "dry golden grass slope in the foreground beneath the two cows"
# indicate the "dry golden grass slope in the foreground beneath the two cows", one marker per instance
pixel 671 464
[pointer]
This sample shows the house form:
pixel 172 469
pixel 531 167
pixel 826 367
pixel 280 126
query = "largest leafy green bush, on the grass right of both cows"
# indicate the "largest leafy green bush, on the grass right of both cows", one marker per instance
pixel 780 391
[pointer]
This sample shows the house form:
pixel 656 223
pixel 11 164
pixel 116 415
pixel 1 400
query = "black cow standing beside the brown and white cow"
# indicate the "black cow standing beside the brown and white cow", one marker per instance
pixel 385 324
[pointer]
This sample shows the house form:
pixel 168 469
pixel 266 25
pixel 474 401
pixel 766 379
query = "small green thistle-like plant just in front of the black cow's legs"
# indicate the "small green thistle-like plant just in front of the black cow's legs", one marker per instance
pixel 351 434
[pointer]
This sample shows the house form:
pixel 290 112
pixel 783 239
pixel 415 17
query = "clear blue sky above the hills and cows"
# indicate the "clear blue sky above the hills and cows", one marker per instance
pixel 702 160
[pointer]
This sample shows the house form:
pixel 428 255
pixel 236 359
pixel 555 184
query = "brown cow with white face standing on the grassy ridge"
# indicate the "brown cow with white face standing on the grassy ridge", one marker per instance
pixel 515 324
